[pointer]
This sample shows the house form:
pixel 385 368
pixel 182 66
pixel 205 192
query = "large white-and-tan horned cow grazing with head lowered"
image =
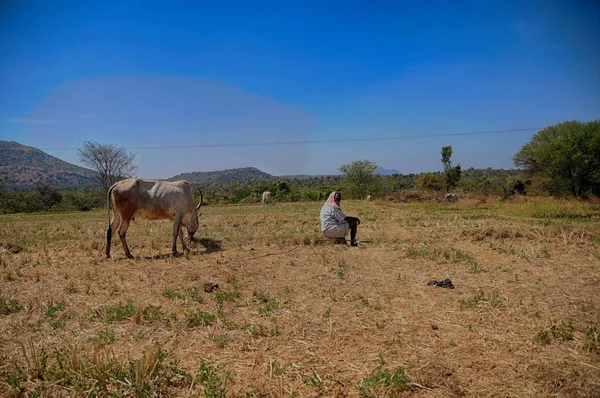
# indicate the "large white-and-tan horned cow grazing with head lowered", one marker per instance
pixel 152 200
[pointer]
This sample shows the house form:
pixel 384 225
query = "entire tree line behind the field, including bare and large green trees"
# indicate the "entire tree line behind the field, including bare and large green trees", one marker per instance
pixel 560 160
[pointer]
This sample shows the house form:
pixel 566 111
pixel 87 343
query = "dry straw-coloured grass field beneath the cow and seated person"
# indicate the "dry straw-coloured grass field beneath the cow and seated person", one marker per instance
pixel 294 316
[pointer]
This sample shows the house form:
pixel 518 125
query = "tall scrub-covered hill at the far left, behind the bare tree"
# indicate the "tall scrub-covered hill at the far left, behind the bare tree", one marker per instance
pixel 24 167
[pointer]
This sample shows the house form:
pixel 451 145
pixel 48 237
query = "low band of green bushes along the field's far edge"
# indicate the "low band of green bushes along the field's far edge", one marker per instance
pixel 45 197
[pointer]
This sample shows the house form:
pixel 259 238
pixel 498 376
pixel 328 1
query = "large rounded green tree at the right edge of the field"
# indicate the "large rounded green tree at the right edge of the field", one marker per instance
pixel 565 158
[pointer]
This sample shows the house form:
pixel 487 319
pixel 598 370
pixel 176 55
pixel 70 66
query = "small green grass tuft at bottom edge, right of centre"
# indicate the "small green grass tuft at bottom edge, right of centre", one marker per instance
pixel 384 382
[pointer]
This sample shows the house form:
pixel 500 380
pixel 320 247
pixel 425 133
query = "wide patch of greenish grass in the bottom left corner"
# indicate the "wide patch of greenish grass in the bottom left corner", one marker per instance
pixel 76 373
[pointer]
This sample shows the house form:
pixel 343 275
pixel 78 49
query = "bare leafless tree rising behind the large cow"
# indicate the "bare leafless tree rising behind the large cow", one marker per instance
pixel 110 162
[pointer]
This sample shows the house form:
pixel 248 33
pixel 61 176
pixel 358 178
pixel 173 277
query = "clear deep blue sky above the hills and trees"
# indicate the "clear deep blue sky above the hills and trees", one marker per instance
pixel 157 76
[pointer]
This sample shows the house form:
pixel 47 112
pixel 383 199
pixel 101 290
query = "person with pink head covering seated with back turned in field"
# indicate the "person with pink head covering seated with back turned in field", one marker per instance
pixel 334 223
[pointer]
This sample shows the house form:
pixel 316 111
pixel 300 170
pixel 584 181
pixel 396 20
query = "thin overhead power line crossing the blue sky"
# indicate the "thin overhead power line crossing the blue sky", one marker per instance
pixel 304 142
